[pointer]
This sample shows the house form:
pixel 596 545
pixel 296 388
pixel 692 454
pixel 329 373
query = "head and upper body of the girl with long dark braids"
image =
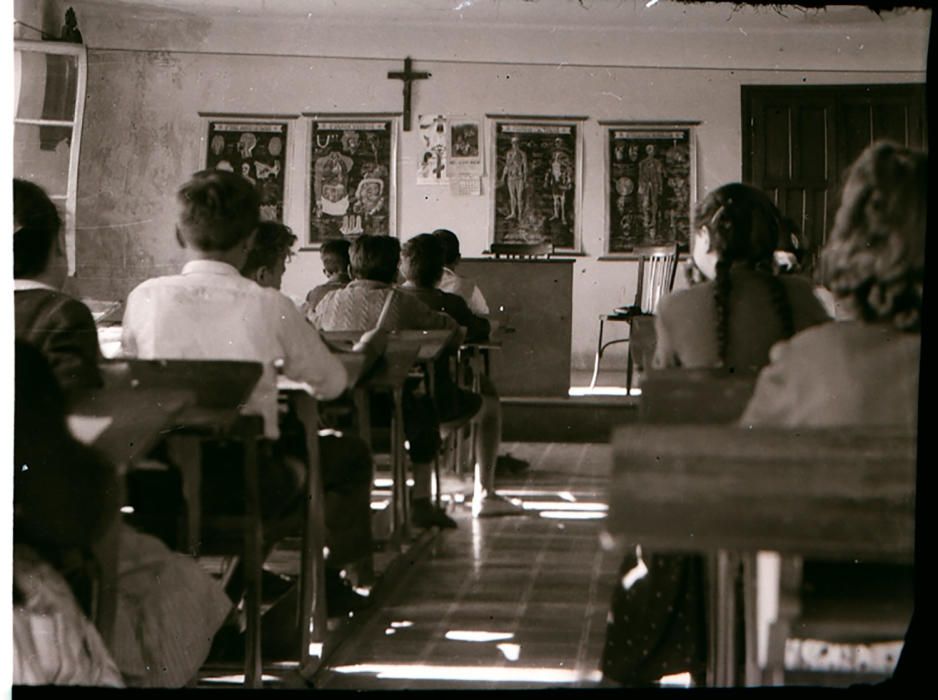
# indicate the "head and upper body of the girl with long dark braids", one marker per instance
pixel 742 308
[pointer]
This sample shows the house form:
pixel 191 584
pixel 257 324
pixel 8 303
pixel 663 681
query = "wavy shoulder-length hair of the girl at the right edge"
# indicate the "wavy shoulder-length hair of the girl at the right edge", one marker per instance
pixel 874 259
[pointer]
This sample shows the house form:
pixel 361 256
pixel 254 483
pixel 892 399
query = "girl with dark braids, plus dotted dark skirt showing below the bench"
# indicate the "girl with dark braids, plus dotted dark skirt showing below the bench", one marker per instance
pixel 657 623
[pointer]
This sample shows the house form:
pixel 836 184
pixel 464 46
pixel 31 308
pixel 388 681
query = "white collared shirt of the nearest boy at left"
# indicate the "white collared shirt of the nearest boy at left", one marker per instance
pixel 211 312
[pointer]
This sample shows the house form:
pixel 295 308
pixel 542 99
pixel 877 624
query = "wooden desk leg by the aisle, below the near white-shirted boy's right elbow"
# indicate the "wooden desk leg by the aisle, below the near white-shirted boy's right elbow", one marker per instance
pixel 312 614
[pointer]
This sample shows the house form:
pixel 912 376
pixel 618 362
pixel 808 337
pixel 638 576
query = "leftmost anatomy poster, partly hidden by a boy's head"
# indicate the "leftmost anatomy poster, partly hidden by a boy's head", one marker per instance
pixel 257 151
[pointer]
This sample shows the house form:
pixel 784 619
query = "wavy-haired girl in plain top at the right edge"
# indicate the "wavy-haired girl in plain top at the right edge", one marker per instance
pixel 863 371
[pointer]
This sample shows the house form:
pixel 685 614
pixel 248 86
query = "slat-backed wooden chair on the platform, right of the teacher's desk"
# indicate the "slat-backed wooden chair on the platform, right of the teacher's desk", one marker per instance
pixel 657 267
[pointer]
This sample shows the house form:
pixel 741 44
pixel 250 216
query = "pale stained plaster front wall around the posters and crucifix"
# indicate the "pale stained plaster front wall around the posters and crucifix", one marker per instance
pixel 150 73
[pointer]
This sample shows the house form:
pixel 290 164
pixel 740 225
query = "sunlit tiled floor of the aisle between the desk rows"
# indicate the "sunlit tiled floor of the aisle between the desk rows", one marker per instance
pixel 512 602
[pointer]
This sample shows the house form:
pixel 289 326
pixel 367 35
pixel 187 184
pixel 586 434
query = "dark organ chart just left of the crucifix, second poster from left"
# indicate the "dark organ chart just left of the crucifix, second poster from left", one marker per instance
pixel 352 176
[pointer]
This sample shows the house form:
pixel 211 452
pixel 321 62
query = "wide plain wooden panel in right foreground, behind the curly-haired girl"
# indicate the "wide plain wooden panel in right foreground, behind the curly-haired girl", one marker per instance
pixel 837 493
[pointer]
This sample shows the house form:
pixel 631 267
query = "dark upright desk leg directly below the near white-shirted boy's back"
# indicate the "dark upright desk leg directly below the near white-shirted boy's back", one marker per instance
pixel 253 560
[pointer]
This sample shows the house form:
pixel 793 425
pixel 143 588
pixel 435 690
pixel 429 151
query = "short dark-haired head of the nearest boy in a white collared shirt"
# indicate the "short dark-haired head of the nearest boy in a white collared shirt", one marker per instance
pixel 217 210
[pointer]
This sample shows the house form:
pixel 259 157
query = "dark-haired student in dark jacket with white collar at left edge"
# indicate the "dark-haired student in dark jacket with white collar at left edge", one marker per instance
pixel 61 326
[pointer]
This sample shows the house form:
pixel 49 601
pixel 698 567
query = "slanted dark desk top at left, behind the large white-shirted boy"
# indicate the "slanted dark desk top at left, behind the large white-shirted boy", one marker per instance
pixel 139 417
